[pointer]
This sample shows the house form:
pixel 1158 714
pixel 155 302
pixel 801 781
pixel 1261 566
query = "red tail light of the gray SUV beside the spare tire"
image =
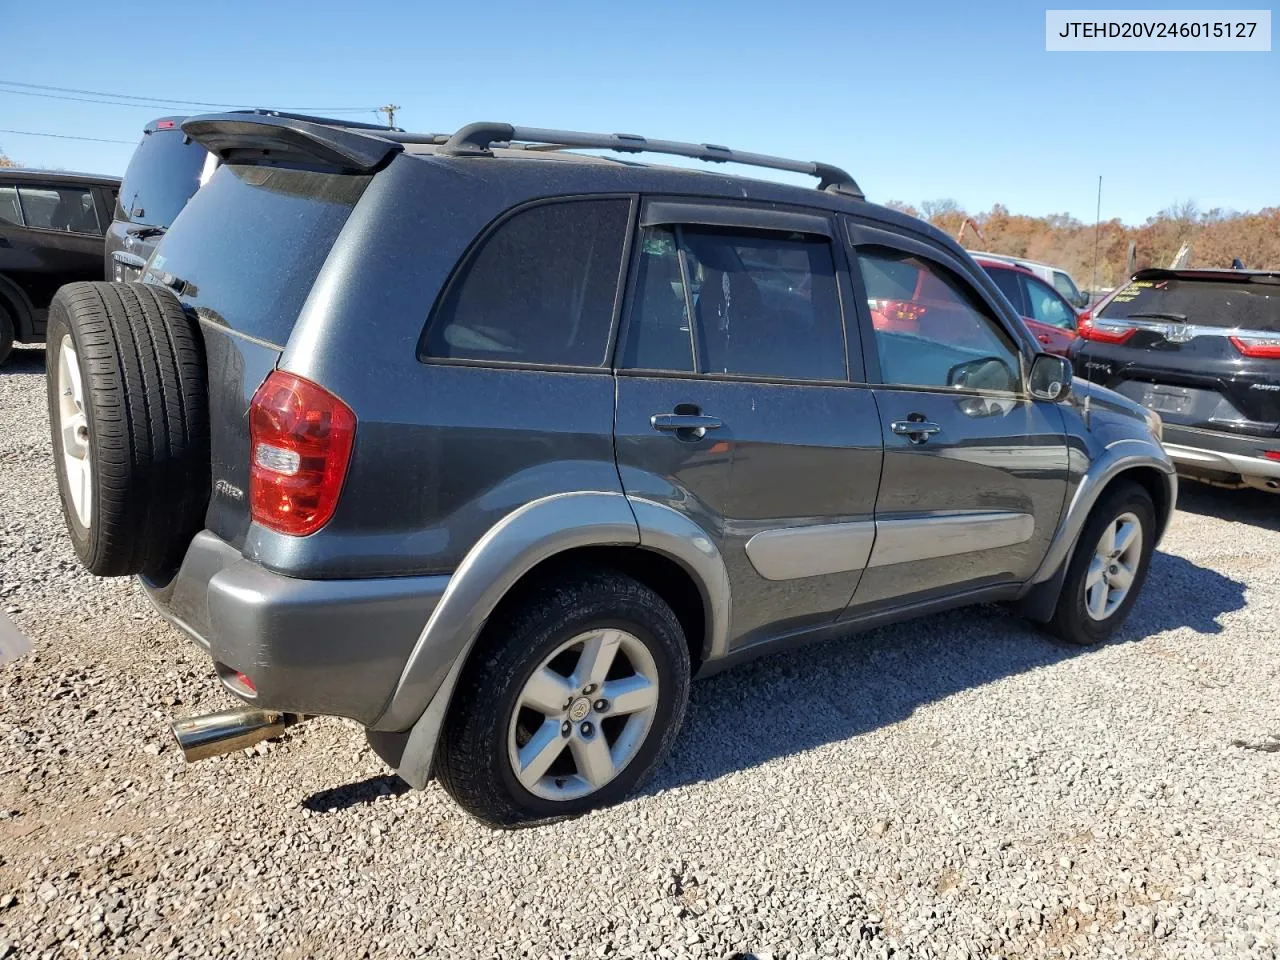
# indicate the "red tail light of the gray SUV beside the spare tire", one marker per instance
pixel 301 438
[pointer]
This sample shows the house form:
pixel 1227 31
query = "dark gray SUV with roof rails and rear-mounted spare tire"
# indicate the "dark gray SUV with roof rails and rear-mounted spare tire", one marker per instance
pixel 492 446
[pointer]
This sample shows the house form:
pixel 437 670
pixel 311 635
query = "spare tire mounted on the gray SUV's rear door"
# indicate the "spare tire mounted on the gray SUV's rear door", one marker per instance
pixel 129 410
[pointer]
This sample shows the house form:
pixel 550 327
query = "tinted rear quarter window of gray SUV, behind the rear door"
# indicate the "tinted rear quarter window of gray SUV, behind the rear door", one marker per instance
pixel 540 289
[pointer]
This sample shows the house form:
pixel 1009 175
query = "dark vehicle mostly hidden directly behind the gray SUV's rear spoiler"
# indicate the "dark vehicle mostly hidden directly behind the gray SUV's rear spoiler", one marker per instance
pixel 164 173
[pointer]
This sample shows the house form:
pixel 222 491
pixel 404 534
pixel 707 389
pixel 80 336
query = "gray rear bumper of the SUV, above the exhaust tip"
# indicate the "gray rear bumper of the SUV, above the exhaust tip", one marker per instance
pixel 318 647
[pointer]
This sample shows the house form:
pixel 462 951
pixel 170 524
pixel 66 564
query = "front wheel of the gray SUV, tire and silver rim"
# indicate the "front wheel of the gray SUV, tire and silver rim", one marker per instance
pixel 1108 569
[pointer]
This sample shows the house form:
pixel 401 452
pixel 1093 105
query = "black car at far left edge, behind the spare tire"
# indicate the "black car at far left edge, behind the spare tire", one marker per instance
pixel 51 234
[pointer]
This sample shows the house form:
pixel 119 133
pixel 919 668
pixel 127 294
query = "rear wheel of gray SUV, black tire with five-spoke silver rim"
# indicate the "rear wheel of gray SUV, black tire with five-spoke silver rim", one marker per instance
pixel 572 702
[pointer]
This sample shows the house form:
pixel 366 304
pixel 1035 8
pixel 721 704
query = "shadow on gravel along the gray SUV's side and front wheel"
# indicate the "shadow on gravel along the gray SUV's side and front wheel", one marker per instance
pixel 844 688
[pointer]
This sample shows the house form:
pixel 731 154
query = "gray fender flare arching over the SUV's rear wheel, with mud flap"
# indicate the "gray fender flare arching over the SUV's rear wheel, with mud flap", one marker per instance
pixel 510 550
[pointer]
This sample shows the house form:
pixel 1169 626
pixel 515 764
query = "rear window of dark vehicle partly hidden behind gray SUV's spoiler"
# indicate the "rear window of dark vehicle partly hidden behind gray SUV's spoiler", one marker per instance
pixel 163 176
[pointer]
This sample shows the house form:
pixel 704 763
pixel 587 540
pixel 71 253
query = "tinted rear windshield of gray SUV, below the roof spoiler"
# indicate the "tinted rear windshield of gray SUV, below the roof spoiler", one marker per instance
pixel 249 248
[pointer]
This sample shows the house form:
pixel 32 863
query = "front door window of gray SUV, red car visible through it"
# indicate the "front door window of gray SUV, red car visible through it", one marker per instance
pixel 932 330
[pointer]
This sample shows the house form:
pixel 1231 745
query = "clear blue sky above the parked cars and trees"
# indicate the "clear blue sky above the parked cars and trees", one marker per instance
pixel 920 100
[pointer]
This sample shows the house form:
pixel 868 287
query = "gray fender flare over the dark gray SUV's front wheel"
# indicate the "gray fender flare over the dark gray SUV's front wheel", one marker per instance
pixel 1040 597
